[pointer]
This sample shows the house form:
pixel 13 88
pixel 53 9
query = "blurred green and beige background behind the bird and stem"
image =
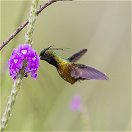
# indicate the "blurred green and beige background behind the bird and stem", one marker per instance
pixel 43 105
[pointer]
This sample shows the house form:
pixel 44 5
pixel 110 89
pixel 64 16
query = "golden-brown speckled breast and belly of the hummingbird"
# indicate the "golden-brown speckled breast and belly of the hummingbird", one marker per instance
pixel 64 70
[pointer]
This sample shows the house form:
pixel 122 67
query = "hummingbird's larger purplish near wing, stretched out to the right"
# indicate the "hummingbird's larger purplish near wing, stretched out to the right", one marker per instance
pixel 83 72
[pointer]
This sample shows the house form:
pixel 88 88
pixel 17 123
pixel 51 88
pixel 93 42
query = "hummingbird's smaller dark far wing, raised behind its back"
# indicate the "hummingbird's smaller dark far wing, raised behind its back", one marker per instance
pixel 75 57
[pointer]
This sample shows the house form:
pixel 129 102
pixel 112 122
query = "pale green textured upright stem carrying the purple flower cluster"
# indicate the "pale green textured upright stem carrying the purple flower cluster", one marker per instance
pixel 17 83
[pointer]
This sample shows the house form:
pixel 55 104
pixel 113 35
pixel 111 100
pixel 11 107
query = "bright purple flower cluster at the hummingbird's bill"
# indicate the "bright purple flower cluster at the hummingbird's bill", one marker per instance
pixel 24 53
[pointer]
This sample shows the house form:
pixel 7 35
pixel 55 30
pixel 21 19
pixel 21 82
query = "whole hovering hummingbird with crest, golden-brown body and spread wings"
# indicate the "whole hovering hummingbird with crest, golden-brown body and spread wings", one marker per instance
pixel 68 69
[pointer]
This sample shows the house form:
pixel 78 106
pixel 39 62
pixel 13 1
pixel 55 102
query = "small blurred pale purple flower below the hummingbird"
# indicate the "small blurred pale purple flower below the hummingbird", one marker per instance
pixel 75 104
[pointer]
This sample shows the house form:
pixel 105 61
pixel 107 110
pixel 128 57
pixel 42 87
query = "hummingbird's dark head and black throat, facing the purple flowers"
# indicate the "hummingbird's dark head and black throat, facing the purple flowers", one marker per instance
pixel 48 55
